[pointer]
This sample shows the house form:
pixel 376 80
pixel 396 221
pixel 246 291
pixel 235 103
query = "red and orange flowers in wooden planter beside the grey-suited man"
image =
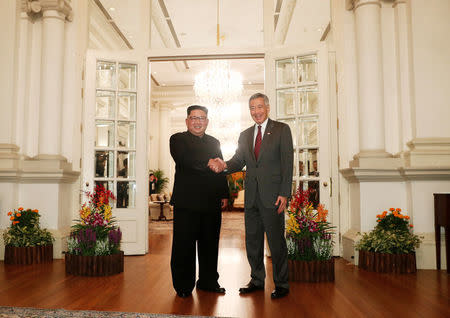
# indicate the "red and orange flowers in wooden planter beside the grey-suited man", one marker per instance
pixel 309 241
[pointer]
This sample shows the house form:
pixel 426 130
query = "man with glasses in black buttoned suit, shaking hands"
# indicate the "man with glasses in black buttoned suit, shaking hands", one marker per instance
pixel 198 197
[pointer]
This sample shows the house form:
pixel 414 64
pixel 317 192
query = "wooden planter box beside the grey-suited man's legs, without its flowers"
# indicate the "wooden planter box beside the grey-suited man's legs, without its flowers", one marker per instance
pixel 311 271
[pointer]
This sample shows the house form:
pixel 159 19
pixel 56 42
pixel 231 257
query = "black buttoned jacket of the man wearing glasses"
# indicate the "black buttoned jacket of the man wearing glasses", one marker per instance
pixel 196 187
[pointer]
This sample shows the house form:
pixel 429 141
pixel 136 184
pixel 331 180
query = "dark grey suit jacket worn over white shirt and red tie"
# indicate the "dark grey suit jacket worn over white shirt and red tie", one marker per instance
pixel 272 173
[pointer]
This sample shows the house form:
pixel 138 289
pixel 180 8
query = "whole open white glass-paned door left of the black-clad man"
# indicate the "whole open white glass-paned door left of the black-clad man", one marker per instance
pixel 114 139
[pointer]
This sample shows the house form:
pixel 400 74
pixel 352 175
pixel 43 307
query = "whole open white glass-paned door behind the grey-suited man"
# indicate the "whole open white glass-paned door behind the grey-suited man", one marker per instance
pixel 297 83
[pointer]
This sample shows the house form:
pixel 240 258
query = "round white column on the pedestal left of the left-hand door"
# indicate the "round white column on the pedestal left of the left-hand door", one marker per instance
pixel 52 67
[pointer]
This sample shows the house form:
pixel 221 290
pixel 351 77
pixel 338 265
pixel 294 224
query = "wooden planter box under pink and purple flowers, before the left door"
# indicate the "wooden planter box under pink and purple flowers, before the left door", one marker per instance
pixel 104 265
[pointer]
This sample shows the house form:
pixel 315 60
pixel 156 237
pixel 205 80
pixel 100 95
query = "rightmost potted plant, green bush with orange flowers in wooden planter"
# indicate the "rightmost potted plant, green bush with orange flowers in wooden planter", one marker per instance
pixel 391 246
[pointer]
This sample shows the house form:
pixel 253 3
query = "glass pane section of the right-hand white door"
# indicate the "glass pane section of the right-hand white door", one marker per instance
pixel 297 92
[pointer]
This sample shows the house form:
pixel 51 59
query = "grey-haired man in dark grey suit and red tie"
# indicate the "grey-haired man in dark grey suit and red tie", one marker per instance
pixel 266 150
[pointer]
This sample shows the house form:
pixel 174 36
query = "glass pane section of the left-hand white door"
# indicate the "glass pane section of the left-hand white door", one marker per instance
pixel 115 130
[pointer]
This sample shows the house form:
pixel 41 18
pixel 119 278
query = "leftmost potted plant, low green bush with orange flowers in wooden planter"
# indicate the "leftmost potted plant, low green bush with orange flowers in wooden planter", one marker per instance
pixel 25 242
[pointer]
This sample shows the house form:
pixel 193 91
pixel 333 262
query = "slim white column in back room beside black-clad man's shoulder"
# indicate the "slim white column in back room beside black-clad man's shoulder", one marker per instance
pixel 164 135
